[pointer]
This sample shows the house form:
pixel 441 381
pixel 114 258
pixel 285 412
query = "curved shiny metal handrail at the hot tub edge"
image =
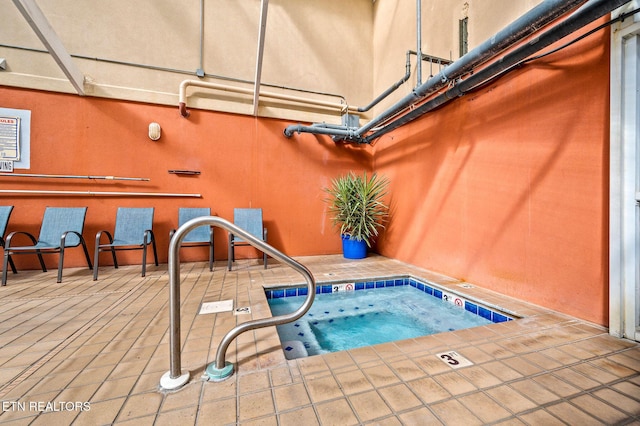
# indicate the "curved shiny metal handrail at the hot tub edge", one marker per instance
pixel 175 378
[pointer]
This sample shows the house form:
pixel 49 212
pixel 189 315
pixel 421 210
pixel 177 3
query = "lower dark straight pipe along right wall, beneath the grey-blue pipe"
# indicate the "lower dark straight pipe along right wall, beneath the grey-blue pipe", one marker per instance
pixel 591 11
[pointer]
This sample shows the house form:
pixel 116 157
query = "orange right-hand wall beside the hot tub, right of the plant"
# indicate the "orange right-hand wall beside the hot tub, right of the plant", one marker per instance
pixel 508 187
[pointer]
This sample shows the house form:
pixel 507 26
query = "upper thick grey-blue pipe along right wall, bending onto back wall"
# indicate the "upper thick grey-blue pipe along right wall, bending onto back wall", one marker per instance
pixel 540 16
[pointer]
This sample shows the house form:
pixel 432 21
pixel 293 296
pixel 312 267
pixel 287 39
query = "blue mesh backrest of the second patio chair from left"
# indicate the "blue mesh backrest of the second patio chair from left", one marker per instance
pixel 57 221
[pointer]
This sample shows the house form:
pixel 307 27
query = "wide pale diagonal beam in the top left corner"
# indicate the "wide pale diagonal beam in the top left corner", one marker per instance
pixel 48 37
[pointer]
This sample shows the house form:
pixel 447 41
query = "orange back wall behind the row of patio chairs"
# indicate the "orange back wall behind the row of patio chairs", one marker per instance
pixel 244 162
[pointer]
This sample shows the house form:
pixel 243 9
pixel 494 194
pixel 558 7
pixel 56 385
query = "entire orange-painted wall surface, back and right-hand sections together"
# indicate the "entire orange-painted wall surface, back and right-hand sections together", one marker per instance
pixel 505 187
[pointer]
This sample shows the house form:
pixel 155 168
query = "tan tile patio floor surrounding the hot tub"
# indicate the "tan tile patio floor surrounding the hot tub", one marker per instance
pixel 92 353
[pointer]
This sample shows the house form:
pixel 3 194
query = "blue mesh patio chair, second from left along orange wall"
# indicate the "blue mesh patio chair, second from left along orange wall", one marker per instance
pixel 61 229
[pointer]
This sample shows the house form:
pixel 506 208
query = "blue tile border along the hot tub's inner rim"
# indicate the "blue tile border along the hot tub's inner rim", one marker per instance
pixel 473 307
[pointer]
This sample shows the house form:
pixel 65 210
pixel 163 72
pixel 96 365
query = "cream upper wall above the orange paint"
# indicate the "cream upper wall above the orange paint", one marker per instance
pixel 351 50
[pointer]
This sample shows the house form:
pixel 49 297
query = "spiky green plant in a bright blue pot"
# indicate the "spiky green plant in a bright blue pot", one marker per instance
pixel 357 206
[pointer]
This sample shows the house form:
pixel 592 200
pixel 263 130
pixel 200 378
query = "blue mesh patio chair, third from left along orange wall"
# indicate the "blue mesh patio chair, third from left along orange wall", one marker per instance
pixel 133 231
